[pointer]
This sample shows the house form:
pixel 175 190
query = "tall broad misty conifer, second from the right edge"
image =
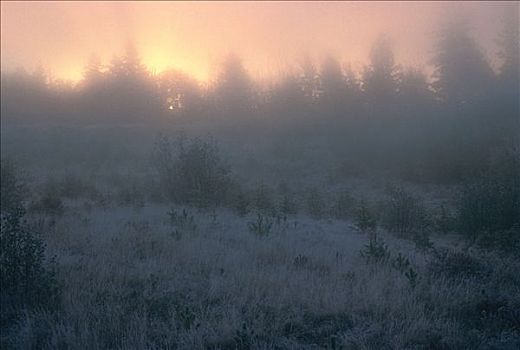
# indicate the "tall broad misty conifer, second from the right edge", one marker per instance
pixel 464 83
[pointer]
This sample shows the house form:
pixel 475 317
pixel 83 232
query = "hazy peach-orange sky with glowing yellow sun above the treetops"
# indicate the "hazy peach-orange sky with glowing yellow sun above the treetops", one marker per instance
pixel 196 36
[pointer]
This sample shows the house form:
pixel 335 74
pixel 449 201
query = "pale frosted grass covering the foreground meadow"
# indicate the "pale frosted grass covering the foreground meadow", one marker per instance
pixel 127 282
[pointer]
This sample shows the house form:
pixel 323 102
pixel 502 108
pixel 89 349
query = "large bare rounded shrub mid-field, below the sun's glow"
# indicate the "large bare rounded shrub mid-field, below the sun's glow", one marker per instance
pixel 192 171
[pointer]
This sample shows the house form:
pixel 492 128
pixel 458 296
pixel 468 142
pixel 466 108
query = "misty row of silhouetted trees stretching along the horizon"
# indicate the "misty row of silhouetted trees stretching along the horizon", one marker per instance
pixel 387 117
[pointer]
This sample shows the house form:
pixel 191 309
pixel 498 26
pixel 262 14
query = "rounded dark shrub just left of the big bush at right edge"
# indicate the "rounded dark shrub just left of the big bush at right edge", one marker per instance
pixel 403 213
